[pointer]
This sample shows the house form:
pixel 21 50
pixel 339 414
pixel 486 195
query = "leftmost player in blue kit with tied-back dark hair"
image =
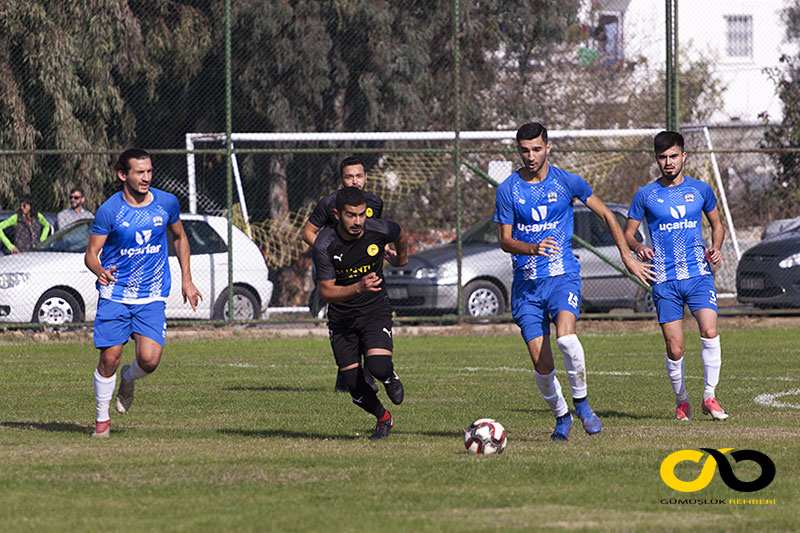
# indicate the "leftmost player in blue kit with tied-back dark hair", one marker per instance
pixel 133 278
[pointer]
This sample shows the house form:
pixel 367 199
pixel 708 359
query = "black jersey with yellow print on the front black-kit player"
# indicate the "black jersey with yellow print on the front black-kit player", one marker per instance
pixel 348 261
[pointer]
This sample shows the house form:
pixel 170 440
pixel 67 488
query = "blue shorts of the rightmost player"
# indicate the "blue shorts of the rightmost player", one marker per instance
pixel 671 296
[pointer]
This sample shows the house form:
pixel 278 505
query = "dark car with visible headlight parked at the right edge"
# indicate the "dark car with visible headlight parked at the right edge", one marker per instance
pixel 768 274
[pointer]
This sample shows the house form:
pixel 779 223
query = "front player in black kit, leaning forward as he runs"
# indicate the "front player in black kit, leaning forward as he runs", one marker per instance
pixel 349 261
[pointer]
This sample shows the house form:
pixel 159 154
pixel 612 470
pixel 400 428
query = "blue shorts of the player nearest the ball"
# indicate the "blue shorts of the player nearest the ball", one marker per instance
pixel 536 302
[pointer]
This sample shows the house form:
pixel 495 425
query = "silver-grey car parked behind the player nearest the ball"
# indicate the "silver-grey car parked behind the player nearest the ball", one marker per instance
pixel 427 284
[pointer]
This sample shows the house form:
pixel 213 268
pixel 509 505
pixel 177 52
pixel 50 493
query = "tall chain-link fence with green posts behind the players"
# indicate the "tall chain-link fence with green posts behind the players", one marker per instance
pixel 346 67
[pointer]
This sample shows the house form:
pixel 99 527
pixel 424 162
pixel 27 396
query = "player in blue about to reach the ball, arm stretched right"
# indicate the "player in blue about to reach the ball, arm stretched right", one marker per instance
pixel 533 211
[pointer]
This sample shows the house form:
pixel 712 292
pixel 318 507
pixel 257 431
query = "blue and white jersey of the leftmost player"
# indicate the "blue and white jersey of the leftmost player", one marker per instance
pixel 137 246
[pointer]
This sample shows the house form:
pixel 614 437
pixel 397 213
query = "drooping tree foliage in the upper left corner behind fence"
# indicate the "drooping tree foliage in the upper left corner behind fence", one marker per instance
pixel 75 76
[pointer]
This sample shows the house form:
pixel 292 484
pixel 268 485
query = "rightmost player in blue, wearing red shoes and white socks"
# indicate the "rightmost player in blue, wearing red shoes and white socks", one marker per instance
pixel 674 206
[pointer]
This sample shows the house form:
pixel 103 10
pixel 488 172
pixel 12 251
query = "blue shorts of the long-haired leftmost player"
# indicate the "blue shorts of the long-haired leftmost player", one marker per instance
pixel 116 322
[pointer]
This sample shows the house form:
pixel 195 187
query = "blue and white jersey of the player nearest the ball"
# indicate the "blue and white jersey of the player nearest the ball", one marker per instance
pixel 536 211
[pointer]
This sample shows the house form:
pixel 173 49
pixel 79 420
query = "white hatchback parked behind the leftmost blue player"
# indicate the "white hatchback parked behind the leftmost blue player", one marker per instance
pixel 51 284
